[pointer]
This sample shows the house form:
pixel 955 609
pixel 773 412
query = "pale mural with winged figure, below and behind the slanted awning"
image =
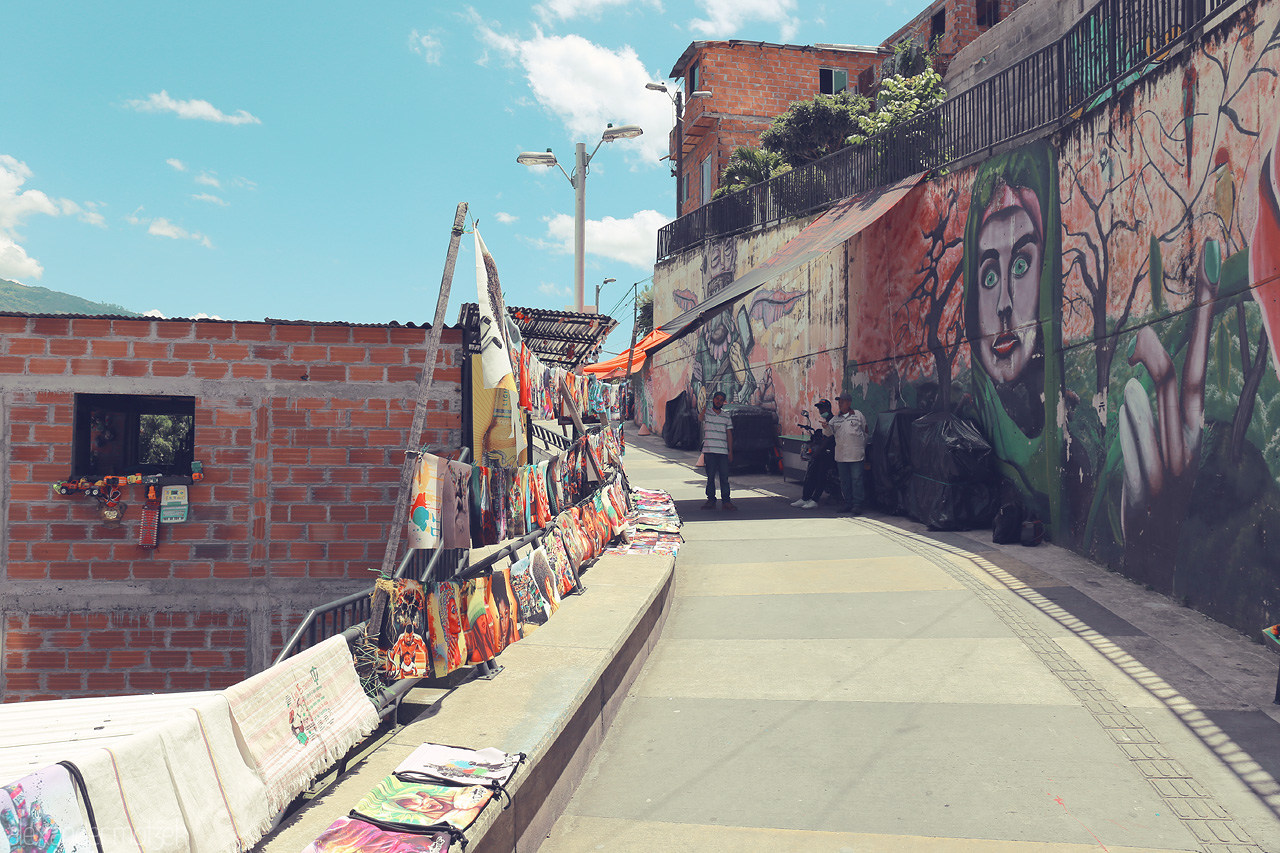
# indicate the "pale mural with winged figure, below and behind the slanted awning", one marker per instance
pixel 765 350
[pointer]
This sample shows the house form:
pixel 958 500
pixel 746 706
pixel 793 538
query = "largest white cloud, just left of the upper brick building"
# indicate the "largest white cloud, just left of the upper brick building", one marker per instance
pixel 588 86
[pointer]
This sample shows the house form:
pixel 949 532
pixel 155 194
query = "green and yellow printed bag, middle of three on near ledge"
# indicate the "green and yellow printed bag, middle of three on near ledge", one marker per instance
pixel 397 804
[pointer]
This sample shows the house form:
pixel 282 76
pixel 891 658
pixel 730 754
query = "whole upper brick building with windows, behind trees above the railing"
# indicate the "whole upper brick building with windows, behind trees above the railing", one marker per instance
pixel 749 83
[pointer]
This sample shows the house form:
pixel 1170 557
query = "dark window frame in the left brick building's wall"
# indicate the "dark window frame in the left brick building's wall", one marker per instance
pixel 132 408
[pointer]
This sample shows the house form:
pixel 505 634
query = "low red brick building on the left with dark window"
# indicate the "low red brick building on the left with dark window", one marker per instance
pixel 301 431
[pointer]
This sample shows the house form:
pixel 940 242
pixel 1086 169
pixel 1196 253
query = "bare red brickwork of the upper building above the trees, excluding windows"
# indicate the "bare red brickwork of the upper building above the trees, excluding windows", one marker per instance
pixel 751 85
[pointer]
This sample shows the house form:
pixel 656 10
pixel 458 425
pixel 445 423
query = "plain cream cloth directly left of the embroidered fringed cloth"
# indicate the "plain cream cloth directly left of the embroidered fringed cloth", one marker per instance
pixel 222 797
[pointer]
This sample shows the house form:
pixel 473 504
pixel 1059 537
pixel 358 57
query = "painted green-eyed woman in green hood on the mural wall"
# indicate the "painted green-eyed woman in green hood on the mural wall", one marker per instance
pixel 1012 298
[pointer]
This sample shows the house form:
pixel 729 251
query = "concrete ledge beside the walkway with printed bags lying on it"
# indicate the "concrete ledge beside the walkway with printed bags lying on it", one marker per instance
pixel 559 694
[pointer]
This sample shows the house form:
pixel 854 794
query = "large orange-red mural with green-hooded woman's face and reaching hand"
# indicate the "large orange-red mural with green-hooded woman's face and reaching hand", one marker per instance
pixel 1103 305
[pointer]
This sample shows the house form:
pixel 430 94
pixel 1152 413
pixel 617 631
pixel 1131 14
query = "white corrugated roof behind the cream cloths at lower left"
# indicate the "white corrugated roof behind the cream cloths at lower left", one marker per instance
pixel 38 735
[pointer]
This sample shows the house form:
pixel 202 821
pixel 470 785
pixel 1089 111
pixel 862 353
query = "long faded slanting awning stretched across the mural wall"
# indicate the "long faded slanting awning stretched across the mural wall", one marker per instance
pixel 825 234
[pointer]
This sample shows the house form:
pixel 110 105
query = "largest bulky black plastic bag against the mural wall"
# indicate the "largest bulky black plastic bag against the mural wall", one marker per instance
pixel 953 483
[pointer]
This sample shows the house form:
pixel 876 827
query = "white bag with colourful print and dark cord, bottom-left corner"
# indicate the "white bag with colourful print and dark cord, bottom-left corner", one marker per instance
pixel 40 814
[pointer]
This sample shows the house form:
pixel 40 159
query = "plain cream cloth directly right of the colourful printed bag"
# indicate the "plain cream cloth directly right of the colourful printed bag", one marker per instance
pixel 132 791
